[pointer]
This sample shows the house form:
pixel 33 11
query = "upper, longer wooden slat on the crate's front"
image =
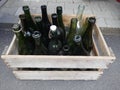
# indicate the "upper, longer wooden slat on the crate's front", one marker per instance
pixel 18 61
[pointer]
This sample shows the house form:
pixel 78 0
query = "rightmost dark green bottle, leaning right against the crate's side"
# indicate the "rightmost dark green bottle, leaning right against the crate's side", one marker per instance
pixel 87 37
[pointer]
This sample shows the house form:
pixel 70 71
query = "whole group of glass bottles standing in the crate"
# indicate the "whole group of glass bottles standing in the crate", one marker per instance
pixel 38 36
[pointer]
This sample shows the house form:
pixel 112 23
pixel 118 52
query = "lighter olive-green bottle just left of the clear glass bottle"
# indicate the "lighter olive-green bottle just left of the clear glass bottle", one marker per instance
pixel 72 31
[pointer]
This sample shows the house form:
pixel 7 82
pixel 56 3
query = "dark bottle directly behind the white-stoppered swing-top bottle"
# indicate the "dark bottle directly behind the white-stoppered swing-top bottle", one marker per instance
pixel 59 29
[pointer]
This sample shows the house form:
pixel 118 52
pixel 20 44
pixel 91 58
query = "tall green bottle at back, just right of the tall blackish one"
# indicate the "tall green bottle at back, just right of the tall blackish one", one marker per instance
pixel 59 11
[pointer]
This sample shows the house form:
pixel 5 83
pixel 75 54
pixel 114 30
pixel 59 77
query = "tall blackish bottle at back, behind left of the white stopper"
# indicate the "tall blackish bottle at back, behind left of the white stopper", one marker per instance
pixel 45 25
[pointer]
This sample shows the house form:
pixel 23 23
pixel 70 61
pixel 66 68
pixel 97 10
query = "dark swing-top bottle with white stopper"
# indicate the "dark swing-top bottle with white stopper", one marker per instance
pixel 54 45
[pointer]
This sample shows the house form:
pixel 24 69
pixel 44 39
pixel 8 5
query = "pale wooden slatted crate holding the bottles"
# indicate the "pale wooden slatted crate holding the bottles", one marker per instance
pixel 48 67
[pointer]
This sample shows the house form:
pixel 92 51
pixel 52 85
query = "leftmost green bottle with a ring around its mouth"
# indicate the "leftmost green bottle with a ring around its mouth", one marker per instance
pixel 22 50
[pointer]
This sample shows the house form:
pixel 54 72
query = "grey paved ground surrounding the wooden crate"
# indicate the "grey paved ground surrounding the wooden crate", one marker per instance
pixel 108 16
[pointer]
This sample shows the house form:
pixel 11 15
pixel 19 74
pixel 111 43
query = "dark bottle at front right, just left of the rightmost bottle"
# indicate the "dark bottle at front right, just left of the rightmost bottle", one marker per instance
pixel 78 48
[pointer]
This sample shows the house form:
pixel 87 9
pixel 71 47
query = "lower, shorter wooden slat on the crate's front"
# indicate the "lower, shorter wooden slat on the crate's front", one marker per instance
pixel 58 75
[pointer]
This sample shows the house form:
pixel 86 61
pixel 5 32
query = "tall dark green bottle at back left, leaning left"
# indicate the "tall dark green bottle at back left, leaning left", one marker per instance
pixel 29 19
